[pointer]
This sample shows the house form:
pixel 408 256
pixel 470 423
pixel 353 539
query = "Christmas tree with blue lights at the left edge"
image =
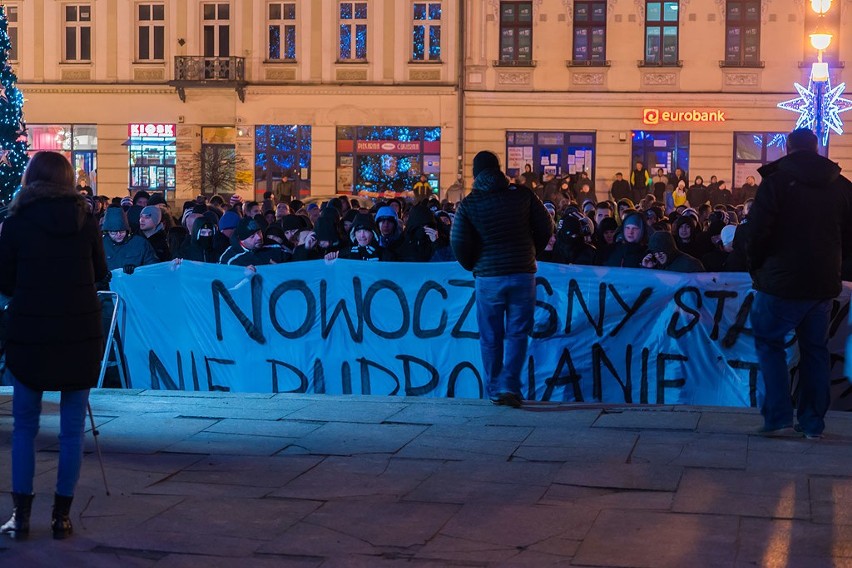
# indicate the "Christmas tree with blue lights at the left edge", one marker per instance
pixel 13 130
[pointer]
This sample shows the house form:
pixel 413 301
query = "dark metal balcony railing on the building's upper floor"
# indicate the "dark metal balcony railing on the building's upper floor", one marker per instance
pixel 199 71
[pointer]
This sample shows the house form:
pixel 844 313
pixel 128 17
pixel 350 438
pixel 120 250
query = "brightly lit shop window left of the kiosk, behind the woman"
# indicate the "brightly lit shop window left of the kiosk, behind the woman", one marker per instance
pixel 77 142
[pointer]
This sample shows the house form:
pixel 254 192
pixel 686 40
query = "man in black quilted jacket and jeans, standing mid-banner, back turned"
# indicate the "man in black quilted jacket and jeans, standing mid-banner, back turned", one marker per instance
pixel 498 230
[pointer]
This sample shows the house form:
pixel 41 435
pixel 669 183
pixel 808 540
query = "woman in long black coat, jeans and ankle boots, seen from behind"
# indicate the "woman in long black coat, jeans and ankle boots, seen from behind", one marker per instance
pixel 51 256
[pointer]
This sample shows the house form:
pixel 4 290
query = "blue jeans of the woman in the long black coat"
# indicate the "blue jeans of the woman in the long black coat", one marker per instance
pixel 26 410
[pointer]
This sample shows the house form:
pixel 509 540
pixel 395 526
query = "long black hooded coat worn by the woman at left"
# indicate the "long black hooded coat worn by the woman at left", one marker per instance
pixel 51 256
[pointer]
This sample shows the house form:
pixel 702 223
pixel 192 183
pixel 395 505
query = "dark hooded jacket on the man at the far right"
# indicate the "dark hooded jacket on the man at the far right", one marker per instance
pixel 799 227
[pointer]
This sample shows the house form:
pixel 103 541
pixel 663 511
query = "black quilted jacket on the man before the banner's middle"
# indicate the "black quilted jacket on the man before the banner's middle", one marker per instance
pixel 499 228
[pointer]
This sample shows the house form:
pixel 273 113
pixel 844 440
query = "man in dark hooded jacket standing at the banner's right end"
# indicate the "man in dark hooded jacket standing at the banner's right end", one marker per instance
pixel 797 274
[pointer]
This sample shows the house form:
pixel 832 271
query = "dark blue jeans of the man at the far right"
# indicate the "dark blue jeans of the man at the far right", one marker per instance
pixel 772 319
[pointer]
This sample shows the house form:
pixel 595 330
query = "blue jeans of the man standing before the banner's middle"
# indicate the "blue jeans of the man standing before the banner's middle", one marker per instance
pixel 505 309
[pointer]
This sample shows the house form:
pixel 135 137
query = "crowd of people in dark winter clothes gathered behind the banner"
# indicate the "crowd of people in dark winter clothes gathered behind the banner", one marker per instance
pixel 644 221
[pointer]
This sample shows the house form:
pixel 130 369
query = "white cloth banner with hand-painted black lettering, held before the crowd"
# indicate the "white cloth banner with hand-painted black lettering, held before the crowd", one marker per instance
pixel 602 334
